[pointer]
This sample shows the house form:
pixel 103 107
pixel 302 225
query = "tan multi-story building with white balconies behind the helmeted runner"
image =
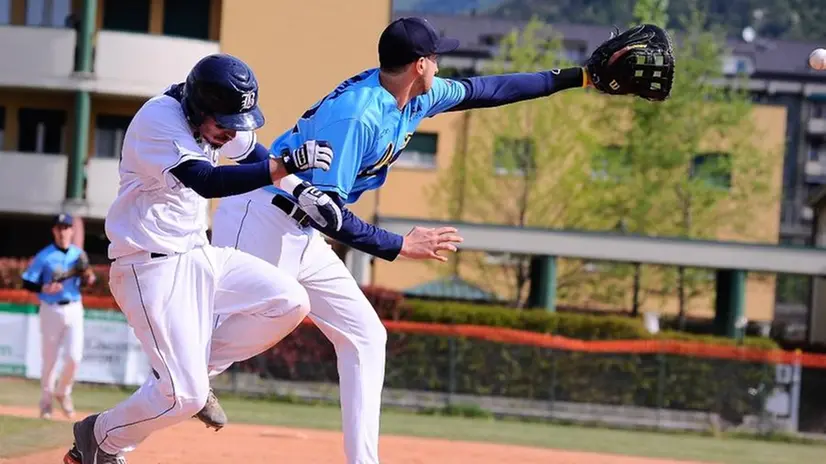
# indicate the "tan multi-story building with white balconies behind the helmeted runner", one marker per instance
pixel 73 72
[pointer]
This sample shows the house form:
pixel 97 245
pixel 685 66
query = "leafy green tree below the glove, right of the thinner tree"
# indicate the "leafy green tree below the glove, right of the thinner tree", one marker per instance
pixel 689 166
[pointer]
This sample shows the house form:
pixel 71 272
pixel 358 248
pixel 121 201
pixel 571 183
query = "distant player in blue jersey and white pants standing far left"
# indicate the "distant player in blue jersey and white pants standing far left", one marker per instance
pixel 61 312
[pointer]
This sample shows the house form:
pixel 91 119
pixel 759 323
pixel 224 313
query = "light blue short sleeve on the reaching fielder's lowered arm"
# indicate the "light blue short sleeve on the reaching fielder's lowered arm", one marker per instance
pixel 350 139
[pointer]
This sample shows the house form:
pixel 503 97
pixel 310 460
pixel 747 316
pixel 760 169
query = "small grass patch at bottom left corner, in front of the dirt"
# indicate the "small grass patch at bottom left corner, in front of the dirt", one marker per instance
pixel 22 436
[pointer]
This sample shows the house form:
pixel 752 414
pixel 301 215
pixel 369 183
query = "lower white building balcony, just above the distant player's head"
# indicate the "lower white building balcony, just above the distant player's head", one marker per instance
pixel 34 183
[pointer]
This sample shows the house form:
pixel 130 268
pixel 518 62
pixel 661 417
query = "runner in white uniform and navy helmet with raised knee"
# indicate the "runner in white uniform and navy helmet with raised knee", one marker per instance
pixel 167 279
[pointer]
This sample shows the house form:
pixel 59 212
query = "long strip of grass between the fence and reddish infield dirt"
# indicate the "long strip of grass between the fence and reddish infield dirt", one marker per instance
pixel 649 444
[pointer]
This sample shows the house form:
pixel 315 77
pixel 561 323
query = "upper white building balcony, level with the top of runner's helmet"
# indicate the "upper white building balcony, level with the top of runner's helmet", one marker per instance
pixel 125 64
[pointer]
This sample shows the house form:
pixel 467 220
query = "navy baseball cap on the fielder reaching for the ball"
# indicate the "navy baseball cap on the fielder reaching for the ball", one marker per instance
pixel 406 40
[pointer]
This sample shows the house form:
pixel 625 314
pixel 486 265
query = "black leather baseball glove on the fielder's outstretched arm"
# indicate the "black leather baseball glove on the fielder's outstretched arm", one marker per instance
pixel 639 61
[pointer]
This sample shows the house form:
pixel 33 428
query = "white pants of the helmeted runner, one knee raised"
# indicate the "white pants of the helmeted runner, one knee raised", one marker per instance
pixel 170 302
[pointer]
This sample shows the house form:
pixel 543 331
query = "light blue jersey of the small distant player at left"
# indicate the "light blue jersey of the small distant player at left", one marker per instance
pixel 49 261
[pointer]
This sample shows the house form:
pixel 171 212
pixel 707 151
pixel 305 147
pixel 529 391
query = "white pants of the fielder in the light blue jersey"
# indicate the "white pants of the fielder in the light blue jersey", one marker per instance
pixel 338 307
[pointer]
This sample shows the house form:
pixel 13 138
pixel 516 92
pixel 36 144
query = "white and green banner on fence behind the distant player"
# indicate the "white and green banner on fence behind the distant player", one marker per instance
pixel 111 352
